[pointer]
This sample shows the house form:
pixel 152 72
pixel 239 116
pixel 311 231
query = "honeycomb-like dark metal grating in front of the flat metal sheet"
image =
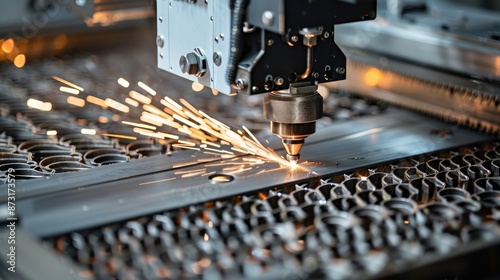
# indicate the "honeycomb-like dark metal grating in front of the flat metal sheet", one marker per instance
pixel 359 224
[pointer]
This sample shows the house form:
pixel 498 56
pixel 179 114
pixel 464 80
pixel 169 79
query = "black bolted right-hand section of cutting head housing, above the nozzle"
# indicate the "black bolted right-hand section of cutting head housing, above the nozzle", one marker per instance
pixel 293 41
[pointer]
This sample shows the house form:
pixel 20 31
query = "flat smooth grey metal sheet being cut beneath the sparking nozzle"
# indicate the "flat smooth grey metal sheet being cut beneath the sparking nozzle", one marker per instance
pixel 372 140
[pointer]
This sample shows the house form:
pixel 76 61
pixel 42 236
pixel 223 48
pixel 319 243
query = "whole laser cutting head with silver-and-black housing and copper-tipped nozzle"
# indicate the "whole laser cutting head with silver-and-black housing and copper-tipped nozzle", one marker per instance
pixel 256 47
